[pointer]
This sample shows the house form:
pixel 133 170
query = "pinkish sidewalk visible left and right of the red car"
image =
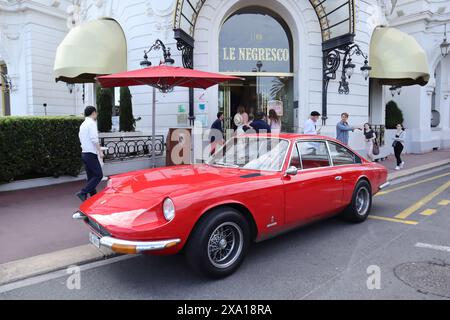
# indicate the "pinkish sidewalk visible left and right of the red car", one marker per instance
pixel 37 225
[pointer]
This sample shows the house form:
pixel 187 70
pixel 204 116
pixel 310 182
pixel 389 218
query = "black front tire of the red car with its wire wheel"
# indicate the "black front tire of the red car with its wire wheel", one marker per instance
pixel 212 255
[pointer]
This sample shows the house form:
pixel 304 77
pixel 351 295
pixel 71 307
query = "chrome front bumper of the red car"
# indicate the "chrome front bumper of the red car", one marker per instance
pixel 130 247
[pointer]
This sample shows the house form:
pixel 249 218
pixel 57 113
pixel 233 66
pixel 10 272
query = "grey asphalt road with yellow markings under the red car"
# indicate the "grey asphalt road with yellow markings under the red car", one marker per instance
pixel 402 257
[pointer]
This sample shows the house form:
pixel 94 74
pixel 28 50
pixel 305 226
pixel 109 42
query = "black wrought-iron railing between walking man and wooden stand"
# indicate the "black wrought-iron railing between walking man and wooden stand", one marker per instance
pixel 131 147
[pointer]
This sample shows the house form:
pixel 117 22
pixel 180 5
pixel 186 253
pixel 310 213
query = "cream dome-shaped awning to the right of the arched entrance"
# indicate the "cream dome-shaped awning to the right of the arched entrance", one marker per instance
pixel 397 58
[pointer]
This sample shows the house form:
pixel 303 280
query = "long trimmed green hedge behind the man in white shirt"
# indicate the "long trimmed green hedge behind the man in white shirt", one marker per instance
pixel 39 147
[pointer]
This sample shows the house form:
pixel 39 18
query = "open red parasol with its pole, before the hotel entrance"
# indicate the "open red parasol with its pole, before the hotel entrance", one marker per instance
pixel 164 78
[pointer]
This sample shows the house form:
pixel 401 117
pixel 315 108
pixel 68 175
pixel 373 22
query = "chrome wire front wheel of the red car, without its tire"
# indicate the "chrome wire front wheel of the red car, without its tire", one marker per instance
pixel 225 245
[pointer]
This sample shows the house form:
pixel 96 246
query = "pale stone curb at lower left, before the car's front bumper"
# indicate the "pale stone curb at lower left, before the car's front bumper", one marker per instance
pixel 59 260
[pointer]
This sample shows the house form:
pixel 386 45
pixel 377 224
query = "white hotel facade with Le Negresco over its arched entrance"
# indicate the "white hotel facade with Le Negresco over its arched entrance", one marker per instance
pixel 231 36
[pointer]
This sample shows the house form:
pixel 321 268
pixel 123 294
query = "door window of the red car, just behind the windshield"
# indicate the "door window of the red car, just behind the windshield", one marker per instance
pixel 314 154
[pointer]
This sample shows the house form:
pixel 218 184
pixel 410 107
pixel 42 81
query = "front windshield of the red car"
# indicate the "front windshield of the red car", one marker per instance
pixel 252 153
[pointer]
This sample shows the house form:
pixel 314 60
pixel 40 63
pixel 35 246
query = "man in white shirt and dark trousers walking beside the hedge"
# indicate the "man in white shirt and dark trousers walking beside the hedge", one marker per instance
pixel 91 151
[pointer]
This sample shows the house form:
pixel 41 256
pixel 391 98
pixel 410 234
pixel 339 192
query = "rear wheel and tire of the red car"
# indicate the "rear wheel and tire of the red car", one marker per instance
pixel 359 209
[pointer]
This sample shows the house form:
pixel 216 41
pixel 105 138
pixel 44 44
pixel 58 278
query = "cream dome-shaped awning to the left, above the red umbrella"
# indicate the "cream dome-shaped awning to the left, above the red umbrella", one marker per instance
pixel 89 50
